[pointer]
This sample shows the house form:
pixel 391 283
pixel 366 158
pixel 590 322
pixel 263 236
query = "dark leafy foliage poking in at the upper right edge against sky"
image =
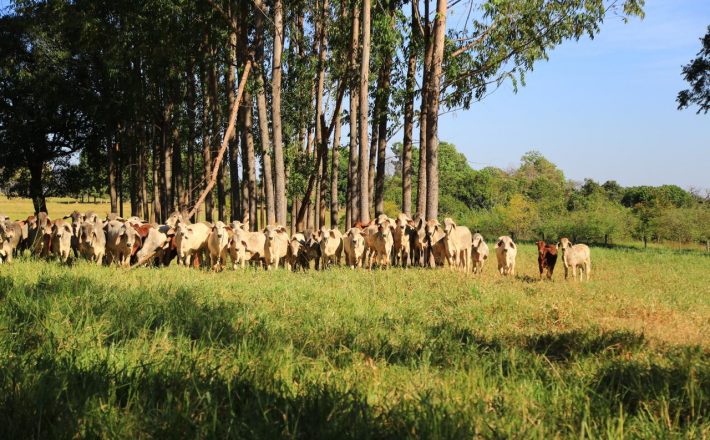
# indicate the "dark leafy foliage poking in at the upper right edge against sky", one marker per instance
pixel 697 74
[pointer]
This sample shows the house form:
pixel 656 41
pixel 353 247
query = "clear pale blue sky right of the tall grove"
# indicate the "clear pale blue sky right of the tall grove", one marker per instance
pixel 604 108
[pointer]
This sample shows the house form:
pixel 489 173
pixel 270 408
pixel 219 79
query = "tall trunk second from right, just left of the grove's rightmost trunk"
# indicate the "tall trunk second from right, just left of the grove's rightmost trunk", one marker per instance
pixel 426 68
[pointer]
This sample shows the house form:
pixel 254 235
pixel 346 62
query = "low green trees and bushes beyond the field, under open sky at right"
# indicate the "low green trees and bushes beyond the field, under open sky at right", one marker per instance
pixel 535 201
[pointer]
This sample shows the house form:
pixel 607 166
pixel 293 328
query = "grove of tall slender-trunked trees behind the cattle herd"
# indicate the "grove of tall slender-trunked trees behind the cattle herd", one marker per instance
pixel 136 98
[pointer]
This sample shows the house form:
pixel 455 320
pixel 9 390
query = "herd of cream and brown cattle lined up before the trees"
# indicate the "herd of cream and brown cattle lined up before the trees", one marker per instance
pixel 383 242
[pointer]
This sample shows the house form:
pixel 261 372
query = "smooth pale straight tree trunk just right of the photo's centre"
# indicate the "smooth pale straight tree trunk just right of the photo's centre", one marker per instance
pixel 364 78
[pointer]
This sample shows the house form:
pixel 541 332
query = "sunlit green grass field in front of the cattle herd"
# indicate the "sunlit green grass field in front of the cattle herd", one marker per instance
pixel 102 352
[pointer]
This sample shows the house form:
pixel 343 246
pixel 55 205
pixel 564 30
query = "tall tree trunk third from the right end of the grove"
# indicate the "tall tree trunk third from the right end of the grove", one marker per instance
pixel 409 118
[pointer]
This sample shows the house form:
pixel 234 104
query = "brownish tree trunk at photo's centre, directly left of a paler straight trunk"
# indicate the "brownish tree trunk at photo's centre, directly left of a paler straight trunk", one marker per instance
pixel 353 182
